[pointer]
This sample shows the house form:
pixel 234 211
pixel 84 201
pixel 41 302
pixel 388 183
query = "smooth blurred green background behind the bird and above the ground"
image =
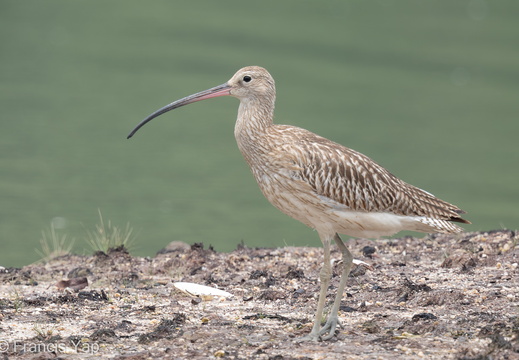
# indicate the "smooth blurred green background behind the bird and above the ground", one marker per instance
pixel 428 89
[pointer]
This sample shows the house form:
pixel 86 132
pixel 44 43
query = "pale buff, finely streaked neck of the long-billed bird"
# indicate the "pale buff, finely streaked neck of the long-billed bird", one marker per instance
pixel 254 118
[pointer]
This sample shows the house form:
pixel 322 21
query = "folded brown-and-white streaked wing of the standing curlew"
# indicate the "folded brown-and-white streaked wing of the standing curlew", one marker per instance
pixel 357 182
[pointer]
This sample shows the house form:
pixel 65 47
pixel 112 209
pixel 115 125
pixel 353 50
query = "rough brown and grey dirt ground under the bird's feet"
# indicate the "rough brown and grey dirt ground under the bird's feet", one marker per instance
pixel 439 297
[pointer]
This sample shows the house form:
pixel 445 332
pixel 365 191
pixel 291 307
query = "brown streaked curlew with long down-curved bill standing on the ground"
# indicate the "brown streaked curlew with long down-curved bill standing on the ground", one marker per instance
pixel 326 186
